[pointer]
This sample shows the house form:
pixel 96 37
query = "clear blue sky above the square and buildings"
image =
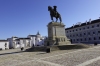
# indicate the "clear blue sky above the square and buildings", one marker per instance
pixel 23 17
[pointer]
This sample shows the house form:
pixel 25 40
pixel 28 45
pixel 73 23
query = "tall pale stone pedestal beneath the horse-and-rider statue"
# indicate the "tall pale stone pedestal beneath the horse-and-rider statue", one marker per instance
pixel 56 34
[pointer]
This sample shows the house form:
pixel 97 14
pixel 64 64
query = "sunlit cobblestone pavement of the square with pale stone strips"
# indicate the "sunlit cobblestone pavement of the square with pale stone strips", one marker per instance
pixel 76 57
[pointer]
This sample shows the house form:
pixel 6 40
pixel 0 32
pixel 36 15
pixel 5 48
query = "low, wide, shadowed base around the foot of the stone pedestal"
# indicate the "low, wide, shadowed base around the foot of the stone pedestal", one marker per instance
pixel 61 47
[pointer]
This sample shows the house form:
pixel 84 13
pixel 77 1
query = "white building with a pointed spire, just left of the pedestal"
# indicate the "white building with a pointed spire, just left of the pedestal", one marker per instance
pixel 37 39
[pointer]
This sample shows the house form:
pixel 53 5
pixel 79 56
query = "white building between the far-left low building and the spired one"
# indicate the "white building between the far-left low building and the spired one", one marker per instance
pixel 14 42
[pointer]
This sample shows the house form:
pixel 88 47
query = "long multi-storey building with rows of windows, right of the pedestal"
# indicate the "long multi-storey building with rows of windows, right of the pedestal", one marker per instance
pixel 88 32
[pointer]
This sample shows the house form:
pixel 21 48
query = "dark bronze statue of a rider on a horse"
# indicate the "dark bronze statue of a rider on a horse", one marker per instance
pixel 54 13
